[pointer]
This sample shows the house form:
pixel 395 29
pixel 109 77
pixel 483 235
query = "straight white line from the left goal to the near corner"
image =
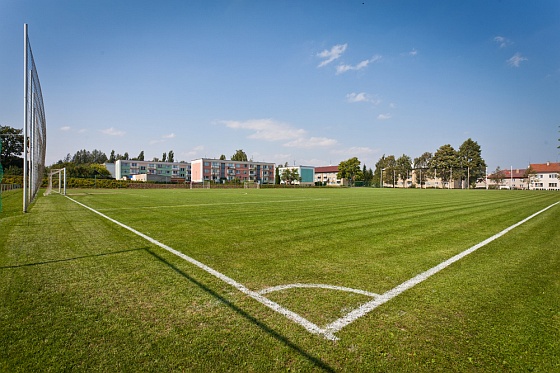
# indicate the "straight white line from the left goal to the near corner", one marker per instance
pixel 308 325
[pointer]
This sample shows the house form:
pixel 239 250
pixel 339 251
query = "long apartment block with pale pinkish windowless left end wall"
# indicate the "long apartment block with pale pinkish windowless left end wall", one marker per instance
pixel 219 171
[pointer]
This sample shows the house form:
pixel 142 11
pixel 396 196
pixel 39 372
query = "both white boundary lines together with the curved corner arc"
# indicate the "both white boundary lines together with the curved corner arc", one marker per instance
pixel 328 331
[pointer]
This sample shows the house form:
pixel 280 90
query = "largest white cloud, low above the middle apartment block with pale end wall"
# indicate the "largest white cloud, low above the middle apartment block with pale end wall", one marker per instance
pixel 267 129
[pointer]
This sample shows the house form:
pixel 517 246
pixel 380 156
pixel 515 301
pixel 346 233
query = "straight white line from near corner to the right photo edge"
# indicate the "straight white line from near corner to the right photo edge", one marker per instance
pixel 365 308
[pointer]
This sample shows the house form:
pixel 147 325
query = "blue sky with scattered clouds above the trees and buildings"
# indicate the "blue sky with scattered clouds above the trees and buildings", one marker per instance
pixel 304 82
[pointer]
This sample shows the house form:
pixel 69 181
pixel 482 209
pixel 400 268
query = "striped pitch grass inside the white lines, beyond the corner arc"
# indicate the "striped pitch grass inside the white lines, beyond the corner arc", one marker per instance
pixel 355 234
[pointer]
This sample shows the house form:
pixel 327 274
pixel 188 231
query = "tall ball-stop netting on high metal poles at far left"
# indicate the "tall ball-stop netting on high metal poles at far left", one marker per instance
pixel 34 129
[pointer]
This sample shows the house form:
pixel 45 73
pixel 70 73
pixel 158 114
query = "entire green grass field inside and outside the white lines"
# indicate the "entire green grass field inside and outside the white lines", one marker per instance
pixel 81 293
